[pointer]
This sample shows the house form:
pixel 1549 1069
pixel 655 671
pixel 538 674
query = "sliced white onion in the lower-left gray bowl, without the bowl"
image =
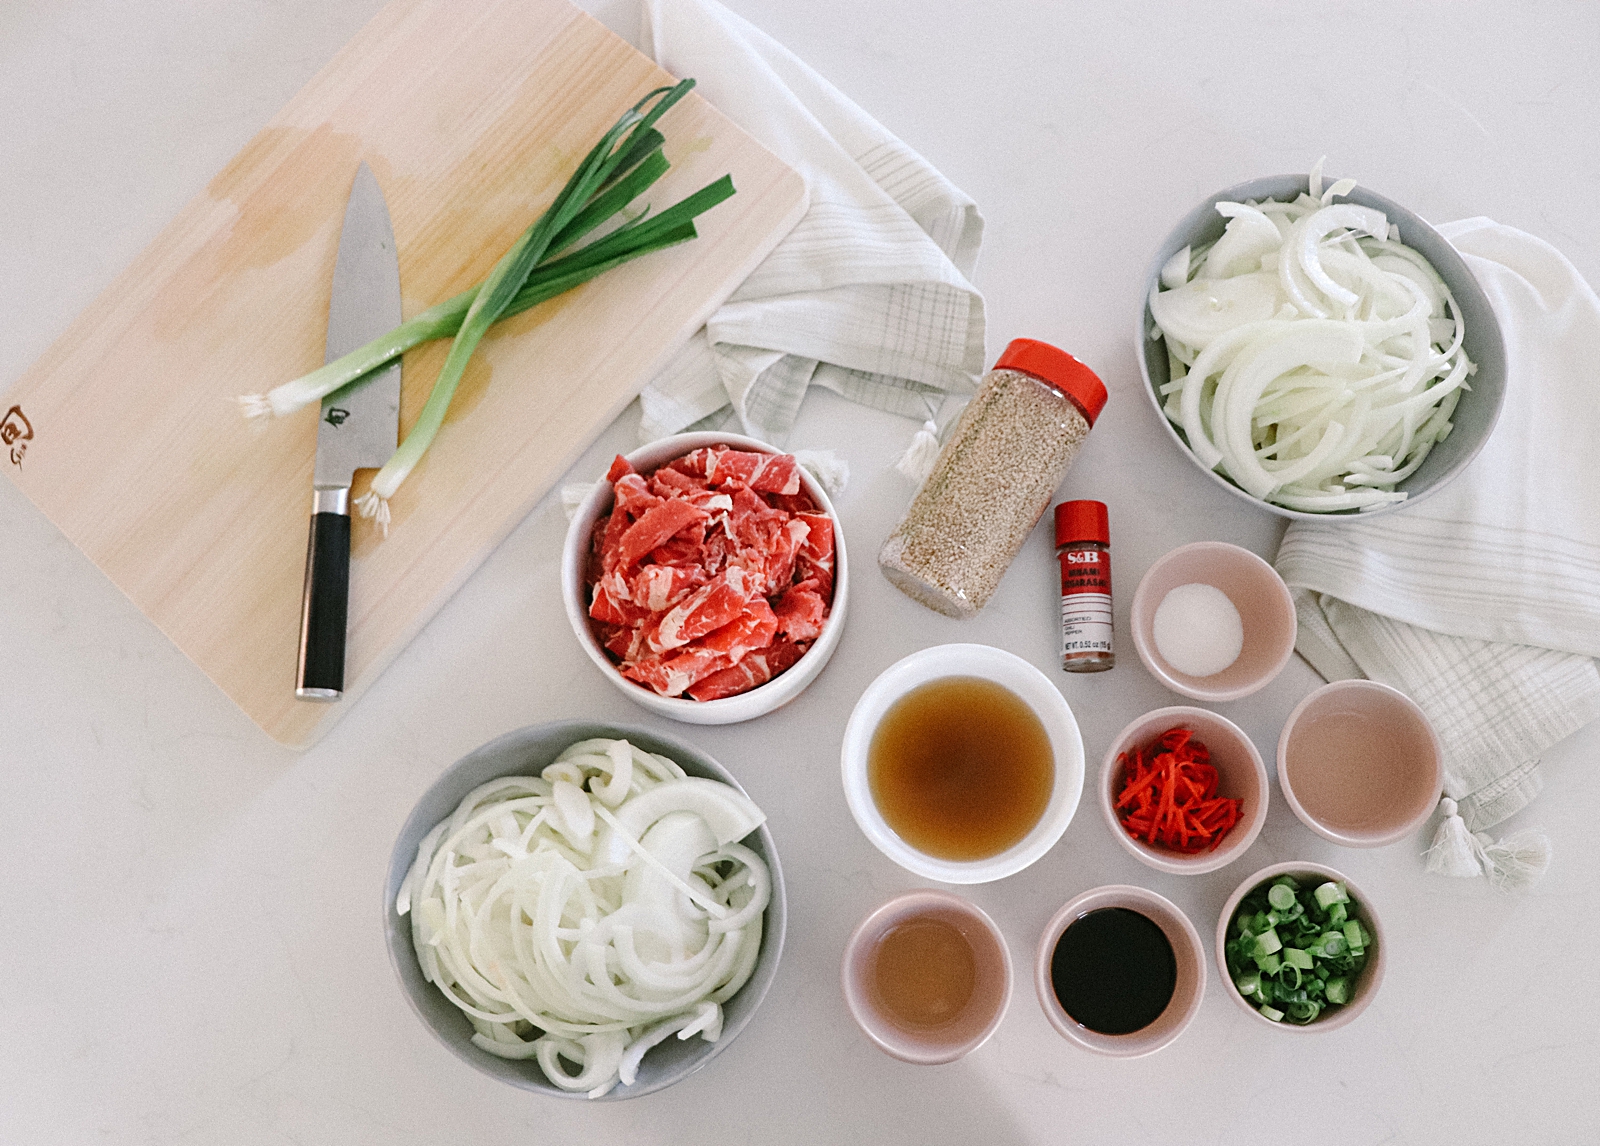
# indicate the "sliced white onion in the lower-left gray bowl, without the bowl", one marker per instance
pixel 567 953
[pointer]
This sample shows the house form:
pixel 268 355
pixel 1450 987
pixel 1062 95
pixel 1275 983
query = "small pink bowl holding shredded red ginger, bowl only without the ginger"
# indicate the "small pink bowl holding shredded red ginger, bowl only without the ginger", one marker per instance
pixel 1241 775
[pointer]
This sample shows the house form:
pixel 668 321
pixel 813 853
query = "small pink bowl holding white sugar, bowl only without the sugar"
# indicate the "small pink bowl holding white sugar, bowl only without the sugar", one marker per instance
pixel 1260 596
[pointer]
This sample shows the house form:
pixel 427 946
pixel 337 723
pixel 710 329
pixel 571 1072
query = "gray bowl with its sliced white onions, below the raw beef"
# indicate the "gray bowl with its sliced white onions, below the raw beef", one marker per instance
pixel 710 889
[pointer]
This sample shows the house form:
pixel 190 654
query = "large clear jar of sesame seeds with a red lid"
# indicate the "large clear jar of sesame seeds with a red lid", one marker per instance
pixel 994 479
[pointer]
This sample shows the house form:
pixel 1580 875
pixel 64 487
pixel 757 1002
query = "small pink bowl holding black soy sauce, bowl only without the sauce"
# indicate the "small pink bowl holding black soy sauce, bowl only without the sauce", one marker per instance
pixel 1186 950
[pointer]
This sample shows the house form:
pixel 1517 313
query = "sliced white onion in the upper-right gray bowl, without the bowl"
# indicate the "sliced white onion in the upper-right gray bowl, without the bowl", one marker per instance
pixel 1316 371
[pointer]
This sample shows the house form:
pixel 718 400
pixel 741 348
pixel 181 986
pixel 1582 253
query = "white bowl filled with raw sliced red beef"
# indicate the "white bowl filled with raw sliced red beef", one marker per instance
pixel 706 577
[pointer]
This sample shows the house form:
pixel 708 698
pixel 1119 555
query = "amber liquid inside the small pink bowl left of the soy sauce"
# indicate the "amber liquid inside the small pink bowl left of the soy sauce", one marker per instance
pixel 924 974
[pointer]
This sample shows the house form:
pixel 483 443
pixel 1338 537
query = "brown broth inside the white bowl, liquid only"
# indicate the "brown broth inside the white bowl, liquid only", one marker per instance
pixel 961 769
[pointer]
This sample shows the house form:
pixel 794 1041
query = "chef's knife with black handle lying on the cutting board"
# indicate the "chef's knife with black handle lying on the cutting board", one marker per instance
pixel 359 428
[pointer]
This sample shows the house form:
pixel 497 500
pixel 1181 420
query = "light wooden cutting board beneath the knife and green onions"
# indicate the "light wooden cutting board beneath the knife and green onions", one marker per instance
pixel 127 435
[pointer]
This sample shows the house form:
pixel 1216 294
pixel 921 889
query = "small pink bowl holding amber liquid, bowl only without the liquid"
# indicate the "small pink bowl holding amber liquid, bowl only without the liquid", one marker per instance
pixel 991 990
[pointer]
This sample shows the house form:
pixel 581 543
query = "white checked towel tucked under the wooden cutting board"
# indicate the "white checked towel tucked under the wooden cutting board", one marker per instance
pixel 868 295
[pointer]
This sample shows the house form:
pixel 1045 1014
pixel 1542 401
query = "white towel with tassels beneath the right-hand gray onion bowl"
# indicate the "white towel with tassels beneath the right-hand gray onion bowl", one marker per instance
pixel 1484 603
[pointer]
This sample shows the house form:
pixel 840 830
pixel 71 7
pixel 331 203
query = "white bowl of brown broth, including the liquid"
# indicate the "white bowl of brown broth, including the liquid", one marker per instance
pixel 962 764
